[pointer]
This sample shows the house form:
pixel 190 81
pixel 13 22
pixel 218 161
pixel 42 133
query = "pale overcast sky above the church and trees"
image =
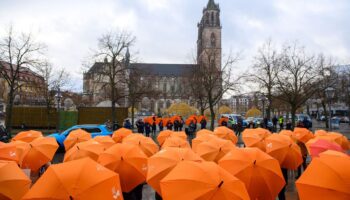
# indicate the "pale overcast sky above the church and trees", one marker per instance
pixel 166 30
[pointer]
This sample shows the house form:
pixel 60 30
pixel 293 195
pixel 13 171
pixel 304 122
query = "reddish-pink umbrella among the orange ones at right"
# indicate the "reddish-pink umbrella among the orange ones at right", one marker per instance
pixel 317 146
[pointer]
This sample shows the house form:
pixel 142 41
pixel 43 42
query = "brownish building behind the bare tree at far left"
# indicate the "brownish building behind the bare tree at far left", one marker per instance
pixel 30 88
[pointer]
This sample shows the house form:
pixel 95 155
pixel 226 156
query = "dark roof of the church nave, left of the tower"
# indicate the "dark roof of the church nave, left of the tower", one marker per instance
pixel 165 69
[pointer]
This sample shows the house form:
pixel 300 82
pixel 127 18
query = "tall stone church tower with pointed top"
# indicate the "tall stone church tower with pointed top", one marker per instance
pixel 209 35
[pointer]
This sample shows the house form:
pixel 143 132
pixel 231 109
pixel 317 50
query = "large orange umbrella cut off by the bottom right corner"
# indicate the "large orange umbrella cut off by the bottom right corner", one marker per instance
pixel 327 177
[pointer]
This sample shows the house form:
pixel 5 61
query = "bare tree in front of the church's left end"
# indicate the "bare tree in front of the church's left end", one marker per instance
pixel 112 48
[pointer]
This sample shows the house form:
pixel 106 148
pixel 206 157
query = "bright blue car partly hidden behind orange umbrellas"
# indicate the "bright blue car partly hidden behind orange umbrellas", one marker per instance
pixel 93 129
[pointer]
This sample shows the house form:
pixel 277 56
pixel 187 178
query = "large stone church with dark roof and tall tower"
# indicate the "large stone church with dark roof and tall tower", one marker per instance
pixel 170 79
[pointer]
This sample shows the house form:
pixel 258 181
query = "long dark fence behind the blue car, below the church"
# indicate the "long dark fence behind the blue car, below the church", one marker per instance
pixel 37 117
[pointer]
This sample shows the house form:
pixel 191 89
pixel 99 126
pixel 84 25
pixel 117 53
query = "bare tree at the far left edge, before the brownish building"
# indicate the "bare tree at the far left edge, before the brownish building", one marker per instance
pixel 16 53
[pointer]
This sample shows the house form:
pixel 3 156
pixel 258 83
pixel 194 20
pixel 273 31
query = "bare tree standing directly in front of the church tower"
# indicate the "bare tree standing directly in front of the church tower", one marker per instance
pixel 215 80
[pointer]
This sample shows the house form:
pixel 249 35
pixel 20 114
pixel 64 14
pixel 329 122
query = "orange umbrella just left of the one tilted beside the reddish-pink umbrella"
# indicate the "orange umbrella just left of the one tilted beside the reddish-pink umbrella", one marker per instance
pixel 254 138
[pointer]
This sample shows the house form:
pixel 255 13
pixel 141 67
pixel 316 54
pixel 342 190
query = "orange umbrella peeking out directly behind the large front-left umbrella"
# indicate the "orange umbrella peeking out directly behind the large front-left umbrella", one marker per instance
pixel 89 148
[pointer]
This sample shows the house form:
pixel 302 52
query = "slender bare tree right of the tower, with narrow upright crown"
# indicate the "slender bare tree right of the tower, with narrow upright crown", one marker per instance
pixel 265 64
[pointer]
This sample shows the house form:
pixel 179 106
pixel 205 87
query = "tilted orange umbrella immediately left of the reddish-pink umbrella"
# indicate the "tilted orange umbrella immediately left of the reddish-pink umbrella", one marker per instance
pixel 286 151
